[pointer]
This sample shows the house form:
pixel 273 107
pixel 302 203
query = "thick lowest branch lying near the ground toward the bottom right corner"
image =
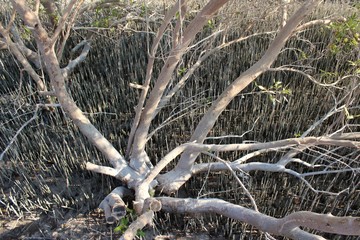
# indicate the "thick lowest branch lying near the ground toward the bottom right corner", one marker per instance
pixel 287 226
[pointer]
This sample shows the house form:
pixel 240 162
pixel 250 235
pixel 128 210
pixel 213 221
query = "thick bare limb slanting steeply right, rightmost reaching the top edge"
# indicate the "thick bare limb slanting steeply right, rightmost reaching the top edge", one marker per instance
pixel 208 120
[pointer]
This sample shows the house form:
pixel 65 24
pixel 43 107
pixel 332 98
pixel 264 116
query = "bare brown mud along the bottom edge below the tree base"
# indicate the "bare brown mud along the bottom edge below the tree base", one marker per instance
pixel 89 226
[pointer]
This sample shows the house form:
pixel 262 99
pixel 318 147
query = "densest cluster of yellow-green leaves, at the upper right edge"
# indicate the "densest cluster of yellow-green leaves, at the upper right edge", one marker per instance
pixel 347 34
